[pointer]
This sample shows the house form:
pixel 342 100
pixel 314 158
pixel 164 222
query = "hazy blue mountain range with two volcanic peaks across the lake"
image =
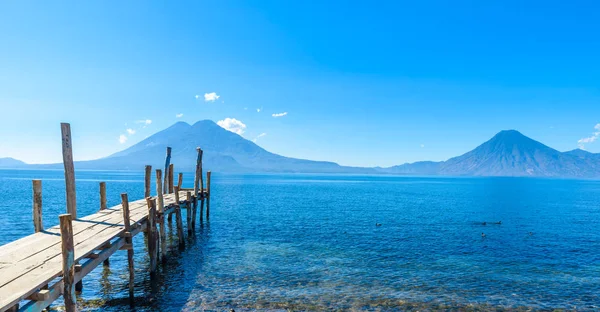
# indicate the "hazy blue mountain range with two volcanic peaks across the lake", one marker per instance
pixel 508 153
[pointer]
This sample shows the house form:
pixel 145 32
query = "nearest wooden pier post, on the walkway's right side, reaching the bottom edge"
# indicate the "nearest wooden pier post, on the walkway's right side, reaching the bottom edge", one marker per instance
pixel 68 255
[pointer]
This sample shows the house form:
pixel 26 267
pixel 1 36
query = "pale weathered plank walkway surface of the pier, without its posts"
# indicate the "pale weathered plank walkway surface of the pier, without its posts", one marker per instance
pixel 30 263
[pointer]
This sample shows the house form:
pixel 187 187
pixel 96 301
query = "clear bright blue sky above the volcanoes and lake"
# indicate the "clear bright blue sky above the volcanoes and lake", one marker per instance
pixel 362 83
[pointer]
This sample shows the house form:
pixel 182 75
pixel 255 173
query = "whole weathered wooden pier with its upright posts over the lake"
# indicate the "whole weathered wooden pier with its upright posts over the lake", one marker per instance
pixel 37 269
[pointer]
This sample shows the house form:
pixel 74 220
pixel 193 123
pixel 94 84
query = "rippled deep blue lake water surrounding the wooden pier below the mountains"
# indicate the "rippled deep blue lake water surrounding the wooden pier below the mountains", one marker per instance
pixel 310 242
